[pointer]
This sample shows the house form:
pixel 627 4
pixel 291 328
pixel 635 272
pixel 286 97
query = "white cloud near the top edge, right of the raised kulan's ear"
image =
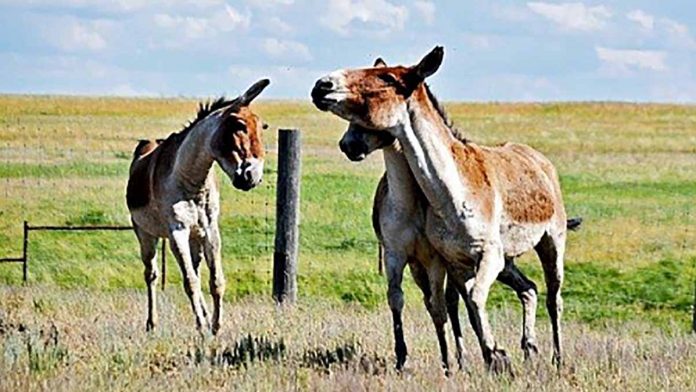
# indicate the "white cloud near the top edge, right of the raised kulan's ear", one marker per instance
pixel 573 16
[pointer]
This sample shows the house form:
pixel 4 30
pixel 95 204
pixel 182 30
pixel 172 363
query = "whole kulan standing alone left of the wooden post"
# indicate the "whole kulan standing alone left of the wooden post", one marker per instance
pixel 172 193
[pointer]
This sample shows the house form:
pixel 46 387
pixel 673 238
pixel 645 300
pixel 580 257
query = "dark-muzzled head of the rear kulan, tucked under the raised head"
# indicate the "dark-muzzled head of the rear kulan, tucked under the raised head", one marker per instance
pixel 358 142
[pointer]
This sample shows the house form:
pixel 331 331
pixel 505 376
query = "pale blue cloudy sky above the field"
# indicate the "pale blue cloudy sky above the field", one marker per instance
pixel 494 50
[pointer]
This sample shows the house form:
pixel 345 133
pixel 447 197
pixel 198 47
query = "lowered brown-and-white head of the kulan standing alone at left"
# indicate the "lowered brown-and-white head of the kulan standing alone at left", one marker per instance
pixel 236 143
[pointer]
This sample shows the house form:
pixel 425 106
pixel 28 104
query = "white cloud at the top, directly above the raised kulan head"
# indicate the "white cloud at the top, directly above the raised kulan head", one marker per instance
pixel 341 13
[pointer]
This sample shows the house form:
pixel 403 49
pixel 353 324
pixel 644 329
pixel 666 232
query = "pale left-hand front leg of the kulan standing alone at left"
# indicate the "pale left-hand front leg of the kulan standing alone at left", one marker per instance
pixel 179 242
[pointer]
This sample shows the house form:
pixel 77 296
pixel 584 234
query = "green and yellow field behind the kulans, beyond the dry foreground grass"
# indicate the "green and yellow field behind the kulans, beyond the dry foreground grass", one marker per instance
pixel 628 170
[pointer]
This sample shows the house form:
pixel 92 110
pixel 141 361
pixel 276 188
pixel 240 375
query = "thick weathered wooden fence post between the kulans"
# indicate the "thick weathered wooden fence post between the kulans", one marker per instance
pixel 287 217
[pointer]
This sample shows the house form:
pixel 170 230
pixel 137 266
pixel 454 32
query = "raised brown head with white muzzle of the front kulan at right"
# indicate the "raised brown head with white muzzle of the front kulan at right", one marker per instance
pixel 375 98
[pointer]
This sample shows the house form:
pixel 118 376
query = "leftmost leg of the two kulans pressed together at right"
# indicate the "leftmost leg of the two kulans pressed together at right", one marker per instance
pixel 395 263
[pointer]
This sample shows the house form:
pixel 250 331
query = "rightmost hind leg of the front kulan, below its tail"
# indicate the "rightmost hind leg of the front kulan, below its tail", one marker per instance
pixel 551 250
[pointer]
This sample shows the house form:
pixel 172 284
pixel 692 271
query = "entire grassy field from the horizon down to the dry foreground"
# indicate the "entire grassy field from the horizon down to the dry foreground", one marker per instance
pixel 628 170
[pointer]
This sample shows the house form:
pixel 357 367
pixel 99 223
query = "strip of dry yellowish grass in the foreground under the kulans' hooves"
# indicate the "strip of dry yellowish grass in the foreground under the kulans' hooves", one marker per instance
pixel 88 340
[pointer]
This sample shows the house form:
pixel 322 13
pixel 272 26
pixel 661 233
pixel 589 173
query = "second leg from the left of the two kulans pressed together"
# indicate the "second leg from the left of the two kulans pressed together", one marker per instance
pixel 430 280
